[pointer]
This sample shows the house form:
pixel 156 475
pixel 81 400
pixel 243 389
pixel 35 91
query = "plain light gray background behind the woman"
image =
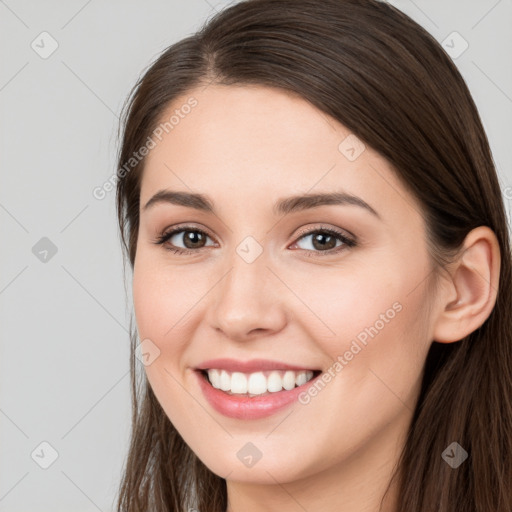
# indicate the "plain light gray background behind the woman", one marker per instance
pixel 64 321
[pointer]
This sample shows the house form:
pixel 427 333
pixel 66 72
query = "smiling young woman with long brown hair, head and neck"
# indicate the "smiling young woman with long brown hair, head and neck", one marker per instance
pixel 321 271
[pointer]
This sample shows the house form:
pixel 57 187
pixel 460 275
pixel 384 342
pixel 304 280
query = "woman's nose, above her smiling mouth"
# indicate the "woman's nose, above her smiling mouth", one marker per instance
pixel 248 301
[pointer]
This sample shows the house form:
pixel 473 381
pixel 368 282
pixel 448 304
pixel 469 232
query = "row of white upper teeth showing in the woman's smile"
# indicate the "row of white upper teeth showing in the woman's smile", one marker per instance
pixel 258 383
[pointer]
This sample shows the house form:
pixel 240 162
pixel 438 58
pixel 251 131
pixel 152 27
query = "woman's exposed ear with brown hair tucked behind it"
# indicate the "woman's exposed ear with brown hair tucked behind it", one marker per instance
pixel 469 295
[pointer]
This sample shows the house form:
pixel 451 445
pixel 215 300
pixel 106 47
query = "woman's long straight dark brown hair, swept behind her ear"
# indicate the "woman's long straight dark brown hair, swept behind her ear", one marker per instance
pixel 384 77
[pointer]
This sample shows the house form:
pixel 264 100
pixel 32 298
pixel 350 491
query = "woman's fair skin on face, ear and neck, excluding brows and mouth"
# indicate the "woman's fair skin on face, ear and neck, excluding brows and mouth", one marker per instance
pixel 246 147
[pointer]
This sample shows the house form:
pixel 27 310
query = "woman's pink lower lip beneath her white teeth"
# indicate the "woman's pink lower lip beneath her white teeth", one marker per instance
pixel 246 407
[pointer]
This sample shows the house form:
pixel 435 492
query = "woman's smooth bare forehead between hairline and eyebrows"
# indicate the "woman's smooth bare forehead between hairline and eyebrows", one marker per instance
pixel 257 144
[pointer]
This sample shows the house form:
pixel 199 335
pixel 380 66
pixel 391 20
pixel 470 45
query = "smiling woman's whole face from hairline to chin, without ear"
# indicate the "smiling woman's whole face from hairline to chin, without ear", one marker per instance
pixel 336 287
